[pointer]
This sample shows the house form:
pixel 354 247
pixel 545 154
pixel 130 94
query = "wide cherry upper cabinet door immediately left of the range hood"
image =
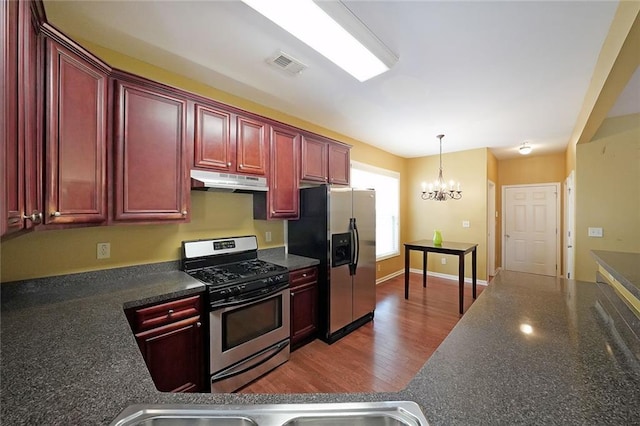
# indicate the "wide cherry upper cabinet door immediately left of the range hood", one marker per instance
pixel 150 165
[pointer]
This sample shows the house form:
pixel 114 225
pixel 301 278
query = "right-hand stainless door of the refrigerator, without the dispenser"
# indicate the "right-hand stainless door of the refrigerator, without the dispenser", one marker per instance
pixel 364 281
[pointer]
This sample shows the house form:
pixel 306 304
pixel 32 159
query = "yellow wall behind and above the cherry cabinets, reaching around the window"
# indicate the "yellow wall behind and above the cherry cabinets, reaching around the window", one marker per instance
pixel 213 215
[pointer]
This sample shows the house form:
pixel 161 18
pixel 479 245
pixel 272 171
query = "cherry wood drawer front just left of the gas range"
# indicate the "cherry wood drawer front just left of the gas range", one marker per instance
pixel 166 313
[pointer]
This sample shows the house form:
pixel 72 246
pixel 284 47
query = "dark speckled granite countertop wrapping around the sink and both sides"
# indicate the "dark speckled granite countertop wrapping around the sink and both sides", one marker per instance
pixel 73 359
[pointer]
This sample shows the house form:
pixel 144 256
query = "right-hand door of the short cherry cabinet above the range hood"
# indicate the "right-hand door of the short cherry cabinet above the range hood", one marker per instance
pixel 251 146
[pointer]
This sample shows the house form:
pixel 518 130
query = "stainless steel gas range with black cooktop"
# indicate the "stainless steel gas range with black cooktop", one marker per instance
pixel 249 315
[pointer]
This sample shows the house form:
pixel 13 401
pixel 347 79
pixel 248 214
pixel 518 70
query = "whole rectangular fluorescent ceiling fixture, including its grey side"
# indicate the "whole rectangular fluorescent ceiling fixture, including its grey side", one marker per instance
pixel 310 23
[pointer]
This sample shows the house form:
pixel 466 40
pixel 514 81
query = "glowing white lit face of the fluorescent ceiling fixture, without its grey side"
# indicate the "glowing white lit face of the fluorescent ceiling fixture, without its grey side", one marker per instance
pixel 312 25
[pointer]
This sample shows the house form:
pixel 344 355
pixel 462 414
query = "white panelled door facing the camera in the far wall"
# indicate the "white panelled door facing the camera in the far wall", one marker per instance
pixel 530 230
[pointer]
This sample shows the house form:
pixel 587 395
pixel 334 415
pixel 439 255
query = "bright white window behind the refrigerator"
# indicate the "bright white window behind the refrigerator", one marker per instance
pixel 387 186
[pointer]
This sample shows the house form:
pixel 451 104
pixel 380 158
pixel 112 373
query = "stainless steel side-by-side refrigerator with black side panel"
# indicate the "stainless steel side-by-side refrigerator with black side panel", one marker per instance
pixel 337 226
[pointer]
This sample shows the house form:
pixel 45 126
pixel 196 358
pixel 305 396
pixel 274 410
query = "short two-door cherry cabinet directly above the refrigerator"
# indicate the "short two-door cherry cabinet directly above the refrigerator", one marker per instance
pixel 324 161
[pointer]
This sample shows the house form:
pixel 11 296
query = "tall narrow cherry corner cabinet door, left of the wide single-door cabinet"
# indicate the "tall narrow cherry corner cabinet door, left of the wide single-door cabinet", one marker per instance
pixel 76 142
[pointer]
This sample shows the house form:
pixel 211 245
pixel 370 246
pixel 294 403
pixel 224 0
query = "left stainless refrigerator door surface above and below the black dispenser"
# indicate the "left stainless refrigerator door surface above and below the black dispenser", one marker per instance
pixel 340 282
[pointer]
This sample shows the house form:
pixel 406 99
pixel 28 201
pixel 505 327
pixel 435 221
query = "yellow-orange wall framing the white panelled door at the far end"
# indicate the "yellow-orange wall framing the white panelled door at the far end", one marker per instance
pixel 523 171
